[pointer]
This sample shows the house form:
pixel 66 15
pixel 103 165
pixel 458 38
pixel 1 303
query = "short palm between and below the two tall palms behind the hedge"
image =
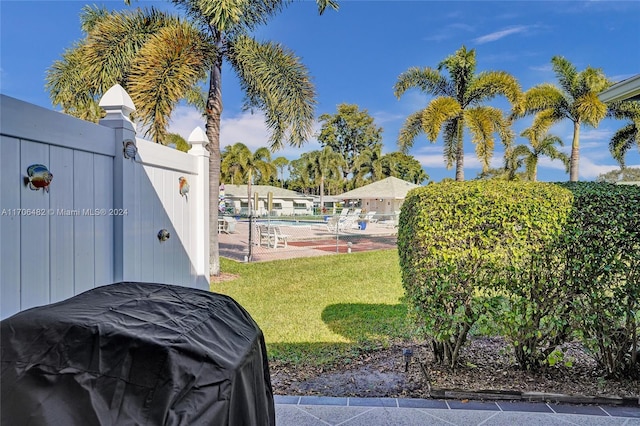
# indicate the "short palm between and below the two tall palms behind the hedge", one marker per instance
pixel 541 143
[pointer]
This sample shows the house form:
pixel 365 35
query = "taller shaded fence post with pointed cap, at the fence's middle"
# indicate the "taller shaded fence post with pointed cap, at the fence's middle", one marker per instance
pixel 118 106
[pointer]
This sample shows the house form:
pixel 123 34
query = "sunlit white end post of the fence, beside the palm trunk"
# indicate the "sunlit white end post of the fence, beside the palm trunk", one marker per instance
pixel 198 140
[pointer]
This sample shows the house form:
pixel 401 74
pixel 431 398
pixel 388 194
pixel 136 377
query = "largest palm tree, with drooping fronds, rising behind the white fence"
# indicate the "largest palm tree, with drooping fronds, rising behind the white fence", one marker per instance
pixel 161 64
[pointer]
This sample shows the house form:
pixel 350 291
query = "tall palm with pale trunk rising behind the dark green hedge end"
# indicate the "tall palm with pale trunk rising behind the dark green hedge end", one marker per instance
pixel 576 99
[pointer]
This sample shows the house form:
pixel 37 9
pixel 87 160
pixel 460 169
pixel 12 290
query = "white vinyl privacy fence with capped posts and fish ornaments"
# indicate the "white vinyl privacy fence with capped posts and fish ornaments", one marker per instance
pixel 101 218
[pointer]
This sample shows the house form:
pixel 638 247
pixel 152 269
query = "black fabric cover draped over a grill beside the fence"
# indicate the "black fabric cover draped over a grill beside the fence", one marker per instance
pixel 135 354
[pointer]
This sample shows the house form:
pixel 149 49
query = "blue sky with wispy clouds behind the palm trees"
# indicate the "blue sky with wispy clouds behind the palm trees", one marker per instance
pixel 356 54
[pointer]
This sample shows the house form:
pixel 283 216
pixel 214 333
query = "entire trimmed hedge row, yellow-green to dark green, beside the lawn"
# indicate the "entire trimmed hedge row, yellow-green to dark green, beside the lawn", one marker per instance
pixel 543 262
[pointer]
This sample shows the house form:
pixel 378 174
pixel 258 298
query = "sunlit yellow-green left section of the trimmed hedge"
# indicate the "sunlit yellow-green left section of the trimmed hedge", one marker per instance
pixel 457 242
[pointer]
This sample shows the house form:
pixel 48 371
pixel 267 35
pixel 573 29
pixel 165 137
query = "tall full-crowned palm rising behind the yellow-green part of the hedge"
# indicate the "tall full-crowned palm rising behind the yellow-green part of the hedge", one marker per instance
pixel 458 103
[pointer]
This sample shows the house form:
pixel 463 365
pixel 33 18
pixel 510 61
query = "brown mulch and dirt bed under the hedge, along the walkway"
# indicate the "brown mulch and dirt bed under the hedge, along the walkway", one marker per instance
pixel 485 365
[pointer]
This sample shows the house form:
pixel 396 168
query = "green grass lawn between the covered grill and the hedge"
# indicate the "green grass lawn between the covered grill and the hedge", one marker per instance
pixel 322 308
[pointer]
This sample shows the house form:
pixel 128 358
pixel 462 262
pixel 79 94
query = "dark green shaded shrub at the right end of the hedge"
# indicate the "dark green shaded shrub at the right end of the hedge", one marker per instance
pixel 602 239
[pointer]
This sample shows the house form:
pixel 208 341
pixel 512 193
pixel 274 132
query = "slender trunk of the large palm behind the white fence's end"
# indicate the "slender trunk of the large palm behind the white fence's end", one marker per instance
pixel 214 112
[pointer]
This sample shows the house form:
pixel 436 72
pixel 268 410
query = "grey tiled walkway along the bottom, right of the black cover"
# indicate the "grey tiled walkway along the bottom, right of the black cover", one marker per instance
pixel 322 411
